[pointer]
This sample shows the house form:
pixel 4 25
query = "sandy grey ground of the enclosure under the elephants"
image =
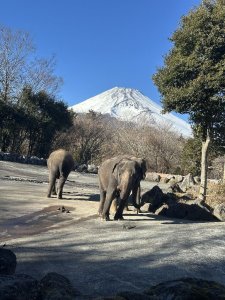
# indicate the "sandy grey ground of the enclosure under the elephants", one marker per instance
pixel 100 258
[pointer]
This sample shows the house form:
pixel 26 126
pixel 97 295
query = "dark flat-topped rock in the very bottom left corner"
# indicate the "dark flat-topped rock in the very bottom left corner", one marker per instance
pixel 18 287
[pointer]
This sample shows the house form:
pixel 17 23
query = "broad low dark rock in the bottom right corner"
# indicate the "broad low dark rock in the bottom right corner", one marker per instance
pixel 187 289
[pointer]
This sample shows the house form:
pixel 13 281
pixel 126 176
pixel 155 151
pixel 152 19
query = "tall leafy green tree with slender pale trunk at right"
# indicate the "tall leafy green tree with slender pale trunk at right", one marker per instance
pixel 192 80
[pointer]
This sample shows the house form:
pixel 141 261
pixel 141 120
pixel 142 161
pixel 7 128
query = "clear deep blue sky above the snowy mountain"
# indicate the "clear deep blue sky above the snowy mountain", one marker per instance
pixel 99 44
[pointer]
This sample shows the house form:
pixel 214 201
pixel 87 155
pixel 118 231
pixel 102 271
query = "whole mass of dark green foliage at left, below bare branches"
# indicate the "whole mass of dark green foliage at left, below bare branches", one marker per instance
pixel 29 126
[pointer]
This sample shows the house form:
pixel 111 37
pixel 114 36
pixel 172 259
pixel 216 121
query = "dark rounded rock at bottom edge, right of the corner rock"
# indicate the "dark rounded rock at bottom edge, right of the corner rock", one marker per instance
pixel 56 287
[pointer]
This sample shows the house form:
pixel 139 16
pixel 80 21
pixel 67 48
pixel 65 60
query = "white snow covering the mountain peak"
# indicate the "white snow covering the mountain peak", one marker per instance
pixel 130 105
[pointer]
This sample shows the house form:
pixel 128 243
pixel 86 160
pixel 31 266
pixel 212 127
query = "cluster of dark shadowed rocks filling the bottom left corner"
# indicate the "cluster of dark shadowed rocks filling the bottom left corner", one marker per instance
pixel 24 287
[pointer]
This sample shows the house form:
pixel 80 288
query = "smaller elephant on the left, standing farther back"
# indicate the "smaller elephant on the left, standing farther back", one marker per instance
pixel 60 163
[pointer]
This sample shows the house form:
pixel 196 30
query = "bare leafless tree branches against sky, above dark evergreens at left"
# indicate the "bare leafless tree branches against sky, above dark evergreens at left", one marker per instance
pixel 19 67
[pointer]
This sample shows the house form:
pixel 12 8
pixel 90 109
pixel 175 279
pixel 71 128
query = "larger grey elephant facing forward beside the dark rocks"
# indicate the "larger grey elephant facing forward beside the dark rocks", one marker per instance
pixel 118 178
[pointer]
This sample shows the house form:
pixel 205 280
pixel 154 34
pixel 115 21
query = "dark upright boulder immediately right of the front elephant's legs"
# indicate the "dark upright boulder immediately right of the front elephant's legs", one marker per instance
pixel 155 197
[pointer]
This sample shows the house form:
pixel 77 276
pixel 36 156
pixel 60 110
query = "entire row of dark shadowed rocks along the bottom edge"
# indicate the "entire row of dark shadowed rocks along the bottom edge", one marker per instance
pixel 54 286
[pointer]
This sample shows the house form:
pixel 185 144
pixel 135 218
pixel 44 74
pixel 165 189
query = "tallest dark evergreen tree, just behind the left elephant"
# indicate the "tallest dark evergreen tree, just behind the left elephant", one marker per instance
pixel 45 117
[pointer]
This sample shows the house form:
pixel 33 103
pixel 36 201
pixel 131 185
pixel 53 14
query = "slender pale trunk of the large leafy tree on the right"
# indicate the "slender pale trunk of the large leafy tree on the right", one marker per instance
pixel 204 168
